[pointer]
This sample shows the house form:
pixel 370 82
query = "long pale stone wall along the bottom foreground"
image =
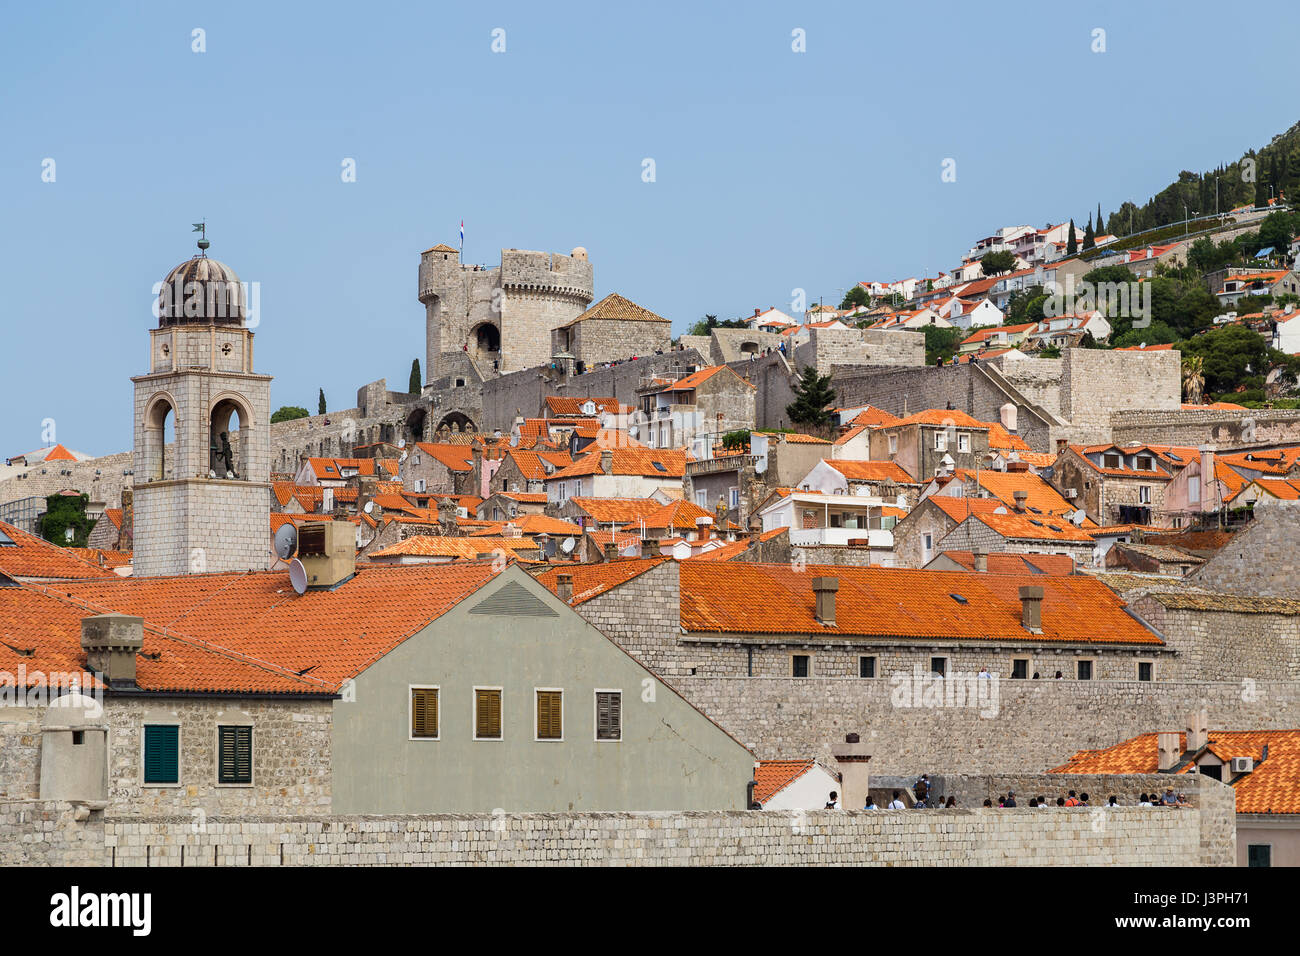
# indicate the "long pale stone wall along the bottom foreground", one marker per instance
pixel 1203 834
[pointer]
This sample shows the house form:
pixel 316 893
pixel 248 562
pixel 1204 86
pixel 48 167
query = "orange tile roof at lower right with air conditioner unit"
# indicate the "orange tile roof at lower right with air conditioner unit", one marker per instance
pixel 1272 788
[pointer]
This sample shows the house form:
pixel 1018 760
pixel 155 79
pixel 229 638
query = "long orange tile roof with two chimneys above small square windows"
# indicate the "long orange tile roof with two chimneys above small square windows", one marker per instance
pixel 743 598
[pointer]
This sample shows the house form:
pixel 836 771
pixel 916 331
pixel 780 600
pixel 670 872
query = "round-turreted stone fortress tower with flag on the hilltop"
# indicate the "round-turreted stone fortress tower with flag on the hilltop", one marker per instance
pixel 497 321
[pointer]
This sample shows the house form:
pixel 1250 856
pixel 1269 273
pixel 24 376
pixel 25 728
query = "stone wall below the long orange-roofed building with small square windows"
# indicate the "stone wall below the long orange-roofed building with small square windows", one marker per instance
pixel 1039 724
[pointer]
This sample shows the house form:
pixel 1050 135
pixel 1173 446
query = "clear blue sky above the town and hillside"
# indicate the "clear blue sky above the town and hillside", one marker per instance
pixel 774 171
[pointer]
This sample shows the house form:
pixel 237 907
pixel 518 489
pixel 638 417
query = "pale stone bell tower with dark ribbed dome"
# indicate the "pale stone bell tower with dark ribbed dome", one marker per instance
pixel 209 509
